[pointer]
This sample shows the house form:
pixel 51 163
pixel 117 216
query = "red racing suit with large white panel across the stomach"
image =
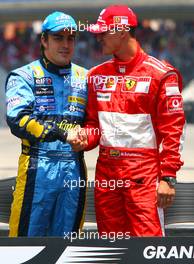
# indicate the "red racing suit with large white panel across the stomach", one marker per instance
pixel 135 114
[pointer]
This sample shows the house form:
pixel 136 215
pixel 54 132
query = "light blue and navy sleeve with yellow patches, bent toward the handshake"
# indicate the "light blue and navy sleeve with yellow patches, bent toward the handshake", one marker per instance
pixel 20 117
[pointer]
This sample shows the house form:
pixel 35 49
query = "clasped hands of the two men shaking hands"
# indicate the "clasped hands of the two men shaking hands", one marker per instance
pixel 77 137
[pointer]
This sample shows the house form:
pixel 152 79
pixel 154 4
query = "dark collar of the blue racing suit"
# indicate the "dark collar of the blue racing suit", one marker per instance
pixel 53 68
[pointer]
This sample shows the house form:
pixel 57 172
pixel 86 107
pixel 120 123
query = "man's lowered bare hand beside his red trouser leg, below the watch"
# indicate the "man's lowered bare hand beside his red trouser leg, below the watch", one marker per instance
pixel 165 194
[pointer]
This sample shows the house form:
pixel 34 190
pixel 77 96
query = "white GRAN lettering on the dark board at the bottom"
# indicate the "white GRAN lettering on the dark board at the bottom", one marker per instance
pixel 174 252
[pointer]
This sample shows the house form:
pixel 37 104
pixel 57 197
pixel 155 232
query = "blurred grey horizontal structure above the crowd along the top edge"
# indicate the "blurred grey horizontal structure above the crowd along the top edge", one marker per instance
pixel 34 9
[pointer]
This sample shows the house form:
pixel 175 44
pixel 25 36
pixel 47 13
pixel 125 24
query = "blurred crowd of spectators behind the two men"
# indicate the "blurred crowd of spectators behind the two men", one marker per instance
pixel 164 39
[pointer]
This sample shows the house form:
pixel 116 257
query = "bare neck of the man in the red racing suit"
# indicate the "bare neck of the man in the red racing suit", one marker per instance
pixel 128 50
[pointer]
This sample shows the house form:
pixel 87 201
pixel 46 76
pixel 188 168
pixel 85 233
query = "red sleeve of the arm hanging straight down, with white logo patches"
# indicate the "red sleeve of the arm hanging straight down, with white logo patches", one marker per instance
pixel 170 123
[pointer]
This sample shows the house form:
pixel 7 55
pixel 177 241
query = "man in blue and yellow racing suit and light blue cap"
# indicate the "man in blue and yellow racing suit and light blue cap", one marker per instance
pixel 45 100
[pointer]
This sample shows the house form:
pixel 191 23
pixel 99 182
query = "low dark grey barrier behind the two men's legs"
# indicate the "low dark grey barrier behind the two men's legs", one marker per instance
pixel 179 218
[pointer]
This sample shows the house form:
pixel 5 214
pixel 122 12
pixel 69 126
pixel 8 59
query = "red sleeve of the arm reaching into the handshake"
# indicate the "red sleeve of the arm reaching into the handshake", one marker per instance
pixel 91 123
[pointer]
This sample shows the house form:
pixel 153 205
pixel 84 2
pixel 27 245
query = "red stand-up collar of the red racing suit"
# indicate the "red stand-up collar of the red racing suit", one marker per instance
pixel 127 66
